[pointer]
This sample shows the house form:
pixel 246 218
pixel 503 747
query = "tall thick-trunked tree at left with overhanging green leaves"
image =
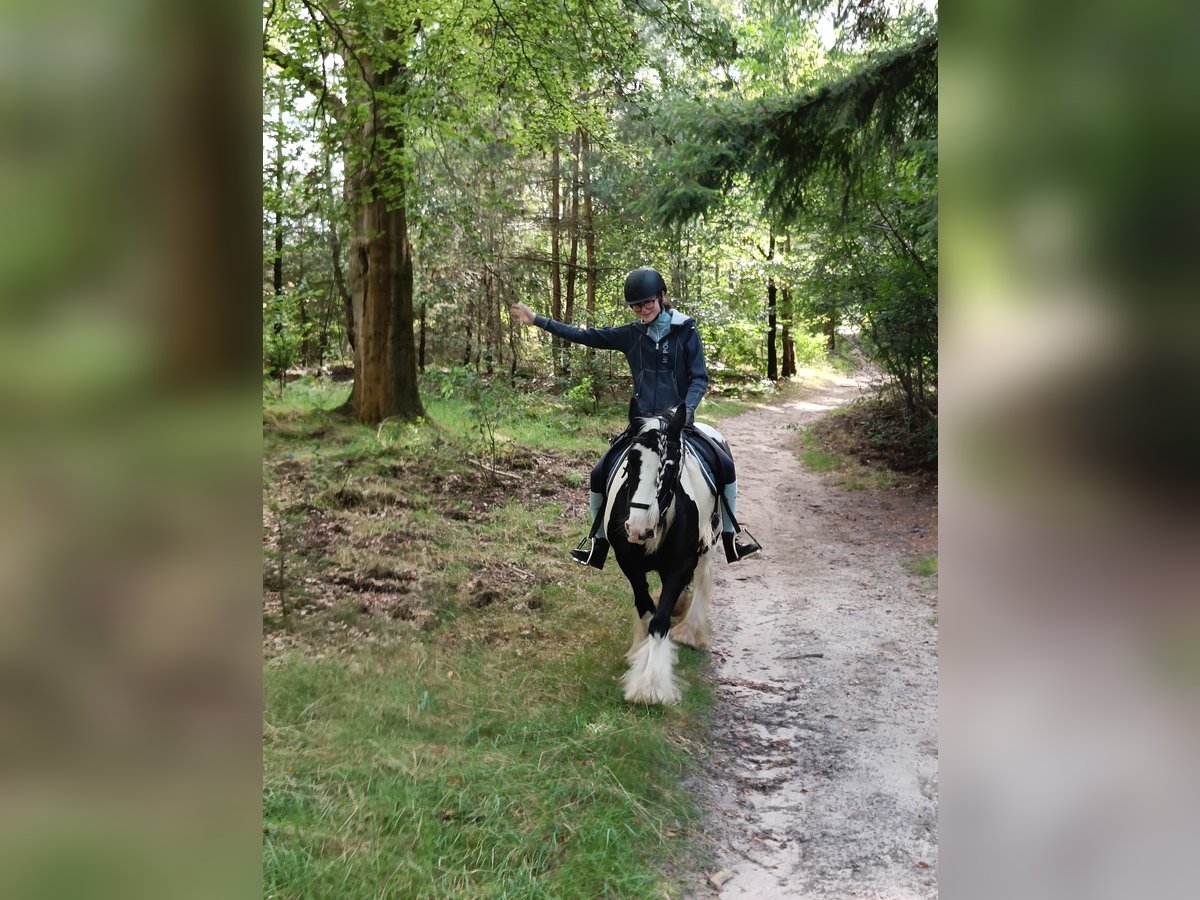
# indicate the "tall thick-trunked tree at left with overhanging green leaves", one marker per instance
pixel 398 75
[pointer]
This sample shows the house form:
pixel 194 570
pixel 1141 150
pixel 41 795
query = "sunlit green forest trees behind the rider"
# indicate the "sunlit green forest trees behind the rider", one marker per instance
pixel 427 165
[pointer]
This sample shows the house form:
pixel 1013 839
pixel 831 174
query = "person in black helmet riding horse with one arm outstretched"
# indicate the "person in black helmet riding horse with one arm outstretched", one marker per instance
pixel 667 359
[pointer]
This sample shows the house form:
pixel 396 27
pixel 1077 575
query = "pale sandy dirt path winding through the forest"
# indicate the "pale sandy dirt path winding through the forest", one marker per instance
pixel 824 773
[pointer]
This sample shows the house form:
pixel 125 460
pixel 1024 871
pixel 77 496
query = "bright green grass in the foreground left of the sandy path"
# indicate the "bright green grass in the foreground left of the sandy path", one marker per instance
pixel 470 775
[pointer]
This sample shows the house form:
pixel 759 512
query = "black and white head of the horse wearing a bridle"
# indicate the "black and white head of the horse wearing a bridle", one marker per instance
pixel 652 473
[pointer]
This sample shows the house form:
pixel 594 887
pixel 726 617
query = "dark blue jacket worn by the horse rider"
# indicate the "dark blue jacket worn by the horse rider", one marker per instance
pixel 665 373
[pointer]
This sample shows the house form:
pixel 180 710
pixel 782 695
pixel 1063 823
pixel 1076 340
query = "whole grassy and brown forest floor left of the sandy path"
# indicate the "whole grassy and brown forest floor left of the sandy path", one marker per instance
pixel 443 716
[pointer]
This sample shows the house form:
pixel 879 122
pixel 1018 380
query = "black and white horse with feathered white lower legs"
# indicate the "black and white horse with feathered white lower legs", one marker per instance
pixel 661 517
